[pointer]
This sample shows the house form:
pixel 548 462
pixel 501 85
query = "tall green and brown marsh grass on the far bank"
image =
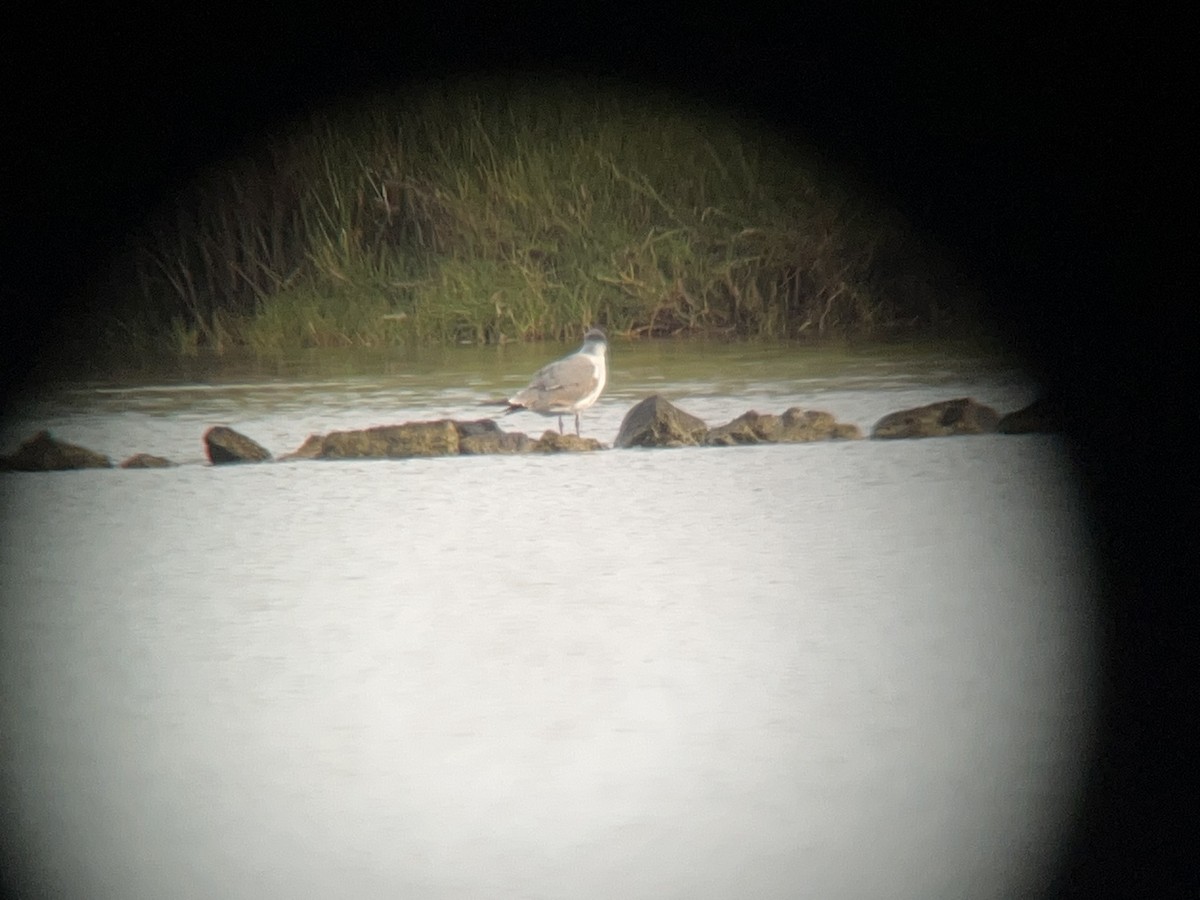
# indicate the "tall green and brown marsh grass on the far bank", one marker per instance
pixel 488 213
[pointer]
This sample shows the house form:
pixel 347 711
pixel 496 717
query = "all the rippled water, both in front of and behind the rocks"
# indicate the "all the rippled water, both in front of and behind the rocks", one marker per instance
pixel 831 670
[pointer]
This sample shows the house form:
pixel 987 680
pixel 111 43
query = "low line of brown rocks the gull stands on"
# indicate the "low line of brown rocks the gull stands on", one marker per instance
pixel 653 423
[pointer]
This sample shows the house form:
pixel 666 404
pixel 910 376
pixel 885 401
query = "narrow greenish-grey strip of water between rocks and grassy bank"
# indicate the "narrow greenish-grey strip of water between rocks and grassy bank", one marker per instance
pixel 280 403
